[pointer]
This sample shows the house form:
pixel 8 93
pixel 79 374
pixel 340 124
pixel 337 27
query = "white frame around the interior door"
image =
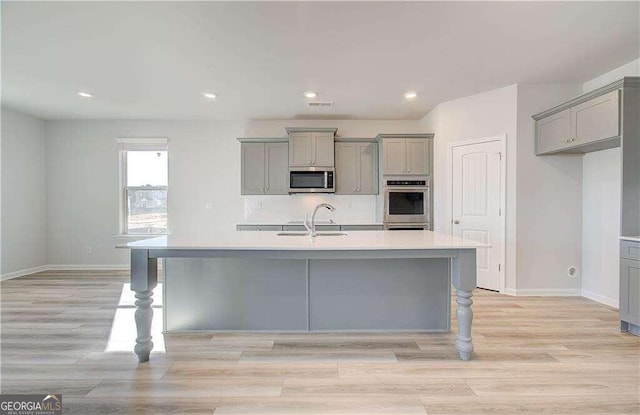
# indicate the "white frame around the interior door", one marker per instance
pixel 502 225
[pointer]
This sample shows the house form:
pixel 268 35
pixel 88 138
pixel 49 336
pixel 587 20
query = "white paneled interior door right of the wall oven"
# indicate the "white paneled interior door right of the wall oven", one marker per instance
pixel 476 187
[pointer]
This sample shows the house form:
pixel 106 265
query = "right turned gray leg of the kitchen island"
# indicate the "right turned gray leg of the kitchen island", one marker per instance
pixel 464 280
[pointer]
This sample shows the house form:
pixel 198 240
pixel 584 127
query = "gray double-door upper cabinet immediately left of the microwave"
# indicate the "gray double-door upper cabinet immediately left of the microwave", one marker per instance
pixel 265 168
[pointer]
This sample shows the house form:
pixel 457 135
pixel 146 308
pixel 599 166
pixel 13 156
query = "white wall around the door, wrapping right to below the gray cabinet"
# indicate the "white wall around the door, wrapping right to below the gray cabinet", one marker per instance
pixel 542 194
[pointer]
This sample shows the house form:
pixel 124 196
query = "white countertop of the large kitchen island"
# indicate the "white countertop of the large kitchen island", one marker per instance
pixel 353 240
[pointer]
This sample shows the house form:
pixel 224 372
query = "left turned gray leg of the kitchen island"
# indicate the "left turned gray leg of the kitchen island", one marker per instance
pixel 144 278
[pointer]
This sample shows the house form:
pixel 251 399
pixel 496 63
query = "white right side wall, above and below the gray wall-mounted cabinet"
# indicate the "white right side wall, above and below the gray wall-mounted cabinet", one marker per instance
pixel 601 209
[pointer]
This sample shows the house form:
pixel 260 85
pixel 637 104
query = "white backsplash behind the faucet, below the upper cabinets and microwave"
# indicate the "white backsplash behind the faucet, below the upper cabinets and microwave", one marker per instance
pixel 282 209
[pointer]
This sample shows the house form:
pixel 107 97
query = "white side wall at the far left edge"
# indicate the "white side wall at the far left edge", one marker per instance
pixel 24 232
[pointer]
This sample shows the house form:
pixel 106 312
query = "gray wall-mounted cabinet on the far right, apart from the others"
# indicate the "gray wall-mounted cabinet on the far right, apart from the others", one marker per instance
pixel 587 123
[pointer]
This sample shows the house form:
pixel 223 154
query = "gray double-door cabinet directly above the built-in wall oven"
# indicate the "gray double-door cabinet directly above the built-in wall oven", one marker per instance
pixel 406 156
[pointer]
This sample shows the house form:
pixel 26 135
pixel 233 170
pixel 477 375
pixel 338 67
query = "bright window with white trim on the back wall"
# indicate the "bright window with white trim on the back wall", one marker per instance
pixel 144 186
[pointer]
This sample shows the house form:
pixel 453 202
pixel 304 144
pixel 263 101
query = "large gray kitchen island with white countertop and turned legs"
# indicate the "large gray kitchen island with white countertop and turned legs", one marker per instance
pixel 361 281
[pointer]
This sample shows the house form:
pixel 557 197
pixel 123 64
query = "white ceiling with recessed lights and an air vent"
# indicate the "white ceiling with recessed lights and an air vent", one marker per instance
pixel 153 60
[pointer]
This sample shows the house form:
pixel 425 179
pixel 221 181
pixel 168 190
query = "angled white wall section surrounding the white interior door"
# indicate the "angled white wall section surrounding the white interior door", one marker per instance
pixel 483 115
